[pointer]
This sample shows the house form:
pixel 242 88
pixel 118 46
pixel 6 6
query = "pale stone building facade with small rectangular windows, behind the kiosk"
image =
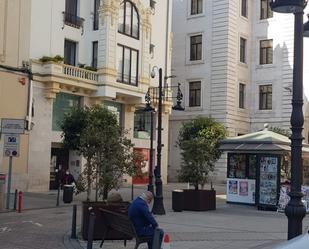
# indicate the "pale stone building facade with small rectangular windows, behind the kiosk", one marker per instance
pixel 237 67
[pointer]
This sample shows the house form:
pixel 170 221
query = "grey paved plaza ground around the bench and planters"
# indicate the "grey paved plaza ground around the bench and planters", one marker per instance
pixel 227 227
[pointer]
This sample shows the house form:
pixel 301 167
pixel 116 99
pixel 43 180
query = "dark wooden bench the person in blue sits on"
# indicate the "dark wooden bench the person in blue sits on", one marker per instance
pixel 121 223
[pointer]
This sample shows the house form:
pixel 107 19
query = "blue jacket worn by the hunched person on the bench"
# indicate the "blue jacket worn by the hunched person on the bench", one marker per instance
pixel 141 217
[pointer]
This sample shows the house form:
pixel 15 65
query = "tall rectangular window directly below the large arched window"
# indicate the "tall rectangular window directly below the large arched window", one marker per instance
pixel 127 65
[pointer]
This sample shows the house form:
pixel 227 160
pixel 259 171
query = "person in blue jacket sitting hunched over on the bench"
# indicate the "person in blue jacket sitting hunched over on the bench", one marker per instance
pixel 143 221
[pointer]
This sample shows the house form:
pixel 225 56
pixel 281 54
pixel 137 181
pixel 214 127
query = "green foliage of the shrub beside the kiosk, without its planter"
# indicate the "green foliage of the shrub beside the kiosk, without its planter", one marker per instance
pixel 199 143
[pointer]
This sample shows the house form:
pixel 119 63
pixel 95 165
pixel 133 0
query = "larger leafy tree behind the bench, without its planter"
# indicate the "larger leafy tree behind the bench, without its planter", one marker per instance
pixel 95 134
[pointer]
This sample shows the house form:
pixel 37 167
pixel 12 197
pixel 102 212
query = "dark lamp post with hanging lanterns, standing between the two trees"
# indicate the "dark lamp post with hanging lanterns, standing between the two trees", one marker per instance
pixel 158 206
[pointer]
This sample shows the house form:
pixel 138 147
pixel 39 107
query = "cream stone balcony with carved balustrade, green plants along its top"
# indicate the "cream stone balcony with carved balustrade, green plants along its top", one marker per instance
pixel 57 76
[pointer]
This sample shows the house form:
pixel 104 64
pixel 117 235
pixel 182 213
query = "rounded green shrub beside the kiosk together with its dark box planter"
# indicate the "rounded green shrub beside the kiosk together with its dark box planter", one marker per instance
pixel 199 143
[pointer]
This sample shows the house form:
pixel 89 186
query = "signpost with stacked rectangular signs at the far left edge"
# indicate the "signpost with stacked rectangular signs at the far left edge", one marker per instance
pixel 11 128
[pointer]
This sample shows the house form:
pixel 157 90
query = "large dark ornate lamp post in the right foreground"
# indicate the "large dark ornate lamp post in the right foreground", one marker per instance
pixel 295 210
